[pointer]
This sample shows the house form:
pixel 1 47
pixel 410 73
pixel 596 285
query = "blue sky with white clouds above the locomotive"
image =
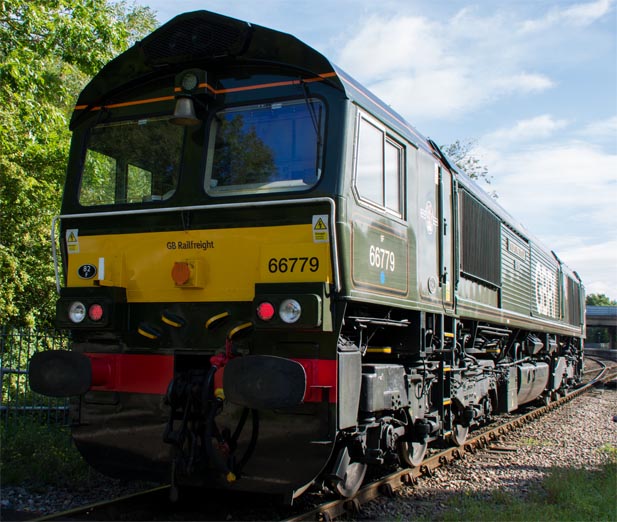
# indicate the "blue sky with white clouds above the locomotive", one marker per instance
pixel 531 83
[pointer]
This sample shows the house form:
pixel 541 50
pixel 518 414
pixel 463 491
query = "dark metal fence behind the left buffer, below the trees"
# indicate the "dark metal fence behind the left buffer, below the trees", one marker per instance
pixel 17 345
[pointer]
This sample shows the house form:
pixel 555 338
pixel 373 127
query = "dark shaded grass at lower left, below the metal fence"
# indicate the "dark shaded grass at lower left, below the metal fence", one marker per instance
pixel 38 455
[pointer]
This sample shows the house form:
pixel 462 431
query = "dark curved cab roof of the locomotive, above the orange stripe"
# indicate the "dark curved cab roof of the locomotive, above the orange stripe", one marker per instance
pixel 211 39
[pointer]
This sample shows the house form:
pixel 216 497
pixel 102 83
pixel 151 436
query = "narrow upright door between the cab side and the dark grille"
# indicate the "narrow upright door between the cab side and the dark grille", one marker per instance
pixel 446 237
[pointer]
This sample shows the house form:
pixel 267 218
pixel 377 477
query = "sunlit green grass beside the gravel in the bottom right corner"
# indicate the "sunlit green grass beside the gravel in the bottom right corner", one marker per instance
pixel 567 494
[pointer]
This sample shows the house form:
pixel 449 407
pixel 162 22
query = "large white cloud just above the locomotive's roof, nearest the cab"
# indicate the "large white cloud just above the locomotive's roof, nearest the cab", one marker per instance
pixel 419 66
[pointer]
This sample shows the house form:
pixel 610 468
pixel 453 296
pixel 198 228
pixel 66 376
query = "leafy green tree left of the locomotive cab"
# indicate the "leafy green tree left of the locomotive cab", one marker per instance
pixel 48 50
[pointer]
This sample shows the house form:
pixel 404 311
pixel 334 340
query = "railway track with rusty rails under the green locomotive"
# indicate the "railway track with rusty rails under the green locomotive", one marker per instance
pixel 154 504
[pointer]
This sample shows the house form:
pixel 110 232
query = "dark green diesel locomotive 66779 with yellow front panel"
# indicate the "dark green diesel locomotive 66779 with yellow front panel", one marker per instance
pixel 273 281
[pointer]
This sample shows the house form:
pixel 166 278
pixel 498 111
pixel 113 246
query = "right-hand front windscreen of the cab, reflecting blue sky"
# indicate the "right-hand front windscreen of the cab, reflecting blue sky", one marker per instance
pixel 265 148
